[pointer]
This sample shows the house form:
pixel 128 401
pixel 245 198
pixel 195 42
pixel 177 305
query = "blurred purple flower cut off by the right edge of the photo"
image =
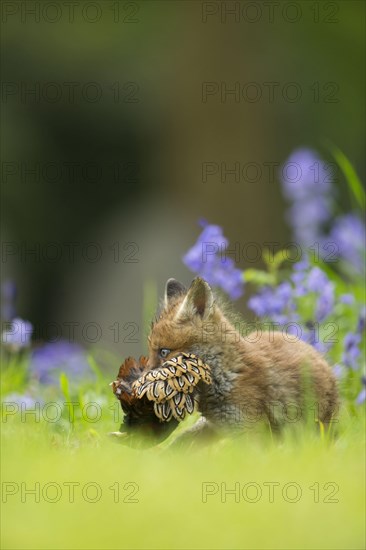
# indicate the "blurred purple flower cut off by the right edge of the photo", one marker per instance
pixel 349 235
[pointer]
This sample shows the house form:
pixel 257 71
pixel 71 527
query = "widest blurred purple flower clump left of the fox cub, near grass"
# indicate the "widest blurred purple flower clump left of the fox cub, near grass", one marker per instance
pixel 48 361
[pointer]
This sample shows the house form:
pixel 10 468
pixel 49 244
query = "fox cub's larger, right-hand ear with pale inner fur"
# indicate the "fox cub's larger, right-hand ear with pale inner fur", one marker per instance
pixel 199 300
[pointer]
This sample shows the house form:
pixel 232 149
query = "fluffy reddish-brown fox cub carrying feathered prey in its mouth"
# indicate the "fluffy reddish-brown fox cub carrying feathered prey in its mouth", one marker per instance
pixel 257 377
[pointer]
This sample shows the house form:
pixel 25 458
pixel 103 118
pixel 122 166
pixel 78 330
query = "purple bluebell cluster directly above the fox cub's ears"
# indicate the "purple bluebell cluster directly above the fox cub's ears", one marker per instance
pixel 208 259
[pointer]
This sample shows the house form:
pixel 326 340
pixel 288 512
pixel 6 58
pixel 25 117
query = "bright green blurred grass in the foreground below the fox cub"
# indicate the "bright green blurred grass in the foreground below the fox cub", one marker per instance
pixel 159 503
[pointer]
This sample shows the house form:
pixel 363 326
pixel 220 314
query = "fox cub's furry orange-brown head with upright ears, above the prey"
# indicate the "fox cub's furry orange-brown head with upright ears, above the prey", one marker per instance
pixel 186 323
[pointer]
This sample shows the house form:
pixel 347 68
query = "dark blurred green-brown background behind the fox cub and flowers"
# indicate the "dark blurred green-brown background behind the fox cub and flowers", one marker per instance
pixel 120 123
